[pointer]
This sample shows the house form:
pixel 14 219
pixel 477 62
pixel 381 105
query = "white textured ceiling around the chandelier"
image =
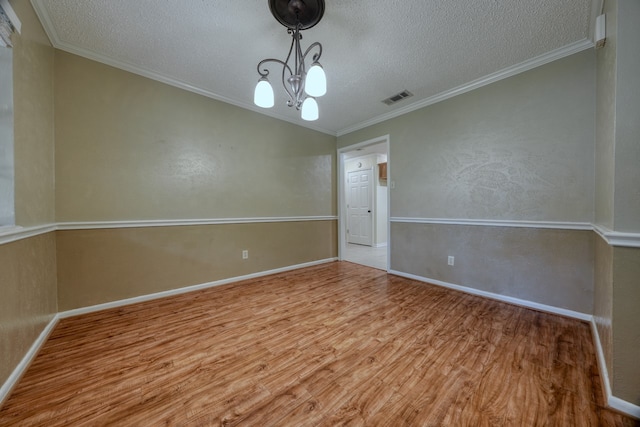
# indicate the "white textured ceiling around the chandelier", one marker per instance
pixel 372 49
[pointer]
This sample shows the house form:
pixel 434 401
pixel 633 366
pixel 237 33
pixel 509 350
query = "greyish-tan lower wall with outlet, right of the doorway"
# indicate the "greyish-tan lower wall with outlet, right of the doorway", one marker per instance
pixel 546 266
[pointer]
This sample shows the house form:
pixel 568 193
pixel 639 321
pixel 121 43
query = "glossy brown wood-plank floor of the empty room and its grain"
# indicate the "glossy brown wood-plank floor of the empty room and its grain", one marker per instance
pixel 336 344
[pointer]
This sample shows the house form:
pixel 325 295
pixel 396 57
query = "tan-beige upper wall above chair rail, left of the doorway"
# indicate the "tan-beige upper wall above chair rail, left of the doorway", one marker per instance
pixel 129 148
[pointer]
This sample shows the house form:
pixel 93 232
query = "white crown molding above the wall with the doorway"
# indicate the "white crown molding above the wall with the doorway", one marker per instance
pixel 554 55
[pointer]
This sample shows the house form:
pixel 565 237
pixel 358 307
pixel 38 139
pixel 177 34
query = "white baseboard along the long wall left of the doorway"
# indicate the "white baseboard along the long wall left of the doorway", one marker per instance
pixel 179 291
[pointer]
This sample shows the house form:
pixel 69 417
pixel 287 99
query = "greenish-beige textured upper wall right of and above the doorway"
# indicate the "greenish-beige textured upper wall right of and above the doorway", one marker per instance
pixel 518 149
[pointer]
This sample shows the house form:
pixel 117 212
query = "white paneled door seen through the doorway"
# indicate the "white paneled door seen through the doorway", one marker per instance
pixel 359 202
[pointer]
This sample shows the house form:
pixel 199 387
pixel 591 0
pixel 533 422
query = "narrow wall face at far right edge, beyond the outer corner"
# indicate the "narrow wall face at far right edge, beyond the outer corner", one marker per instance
pixel 626 261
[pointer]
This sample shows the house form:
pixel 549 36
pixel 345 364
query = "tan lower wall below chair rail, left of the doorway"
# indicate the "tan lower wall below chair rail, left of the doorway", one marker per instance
pixel 102 265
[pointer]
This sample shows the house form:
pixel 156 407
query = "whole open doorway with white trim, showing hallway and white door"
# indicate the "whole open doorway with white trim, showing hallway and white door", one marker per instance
pixel 363 203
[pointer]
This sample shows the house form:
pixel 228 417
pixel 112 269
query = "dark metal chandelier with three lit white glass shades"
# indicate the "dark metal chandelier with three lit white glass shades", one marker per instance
pixel 302 85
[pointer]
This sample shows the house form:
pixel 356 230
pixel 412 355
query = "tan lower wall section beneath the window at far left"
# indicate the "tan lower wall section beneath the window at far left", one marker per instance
pixel 28 302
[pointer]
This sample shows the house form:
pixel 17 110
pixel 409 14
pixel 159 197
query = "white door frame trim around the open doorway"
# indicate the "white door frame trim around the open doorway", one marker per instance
pixel 342 205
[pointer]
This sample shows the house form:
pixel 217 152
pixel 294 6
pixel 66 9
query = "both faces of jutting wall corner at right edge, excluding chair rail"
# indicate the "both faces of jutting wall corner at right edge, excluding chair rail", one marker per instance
pixel 618 196
